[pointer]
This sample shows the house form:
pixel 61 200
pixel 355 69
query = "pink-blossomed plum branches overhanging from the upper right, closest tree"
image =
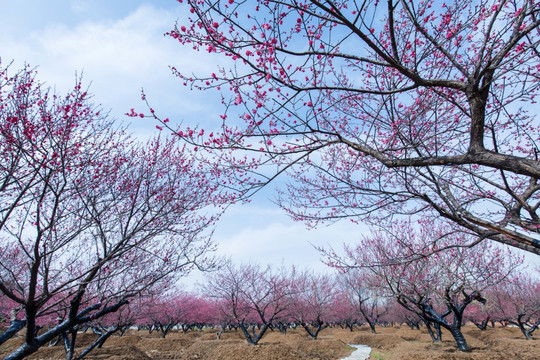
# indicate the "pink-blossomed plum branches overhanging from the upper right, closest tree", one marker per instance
pixel 378 108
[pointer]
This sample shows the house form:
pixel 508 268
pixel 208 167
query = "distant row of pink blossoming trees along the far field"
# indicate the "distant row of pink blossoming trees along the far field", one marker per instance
pixel 254 299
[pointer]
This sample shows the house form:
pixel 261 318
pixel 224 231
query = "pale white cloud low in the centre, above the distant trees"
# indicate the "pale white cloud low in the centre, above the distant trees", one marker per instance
pixel 265 235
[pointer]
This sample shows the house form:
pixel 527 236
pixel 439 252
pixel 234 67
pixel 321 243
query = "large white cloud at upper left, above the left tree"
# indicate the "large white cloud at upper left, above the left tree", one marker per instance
pixel 119 58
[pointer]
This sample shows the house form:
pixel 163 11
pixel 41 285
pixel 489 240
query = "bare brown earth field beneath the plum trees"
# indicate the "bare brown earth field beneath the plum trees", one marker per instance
pixel 399 342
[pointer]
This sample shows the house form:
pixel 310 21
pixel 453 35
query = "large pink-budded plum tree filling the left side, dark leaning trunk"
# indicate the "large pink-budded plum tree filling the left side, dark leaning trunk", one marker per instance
pixel 89 218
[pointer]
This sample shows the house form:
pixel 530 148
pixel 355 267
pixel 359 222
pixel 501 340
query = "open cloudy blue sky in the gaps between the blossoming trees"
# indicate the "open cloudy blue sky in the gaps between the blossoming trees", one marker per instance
pixel 120 48
